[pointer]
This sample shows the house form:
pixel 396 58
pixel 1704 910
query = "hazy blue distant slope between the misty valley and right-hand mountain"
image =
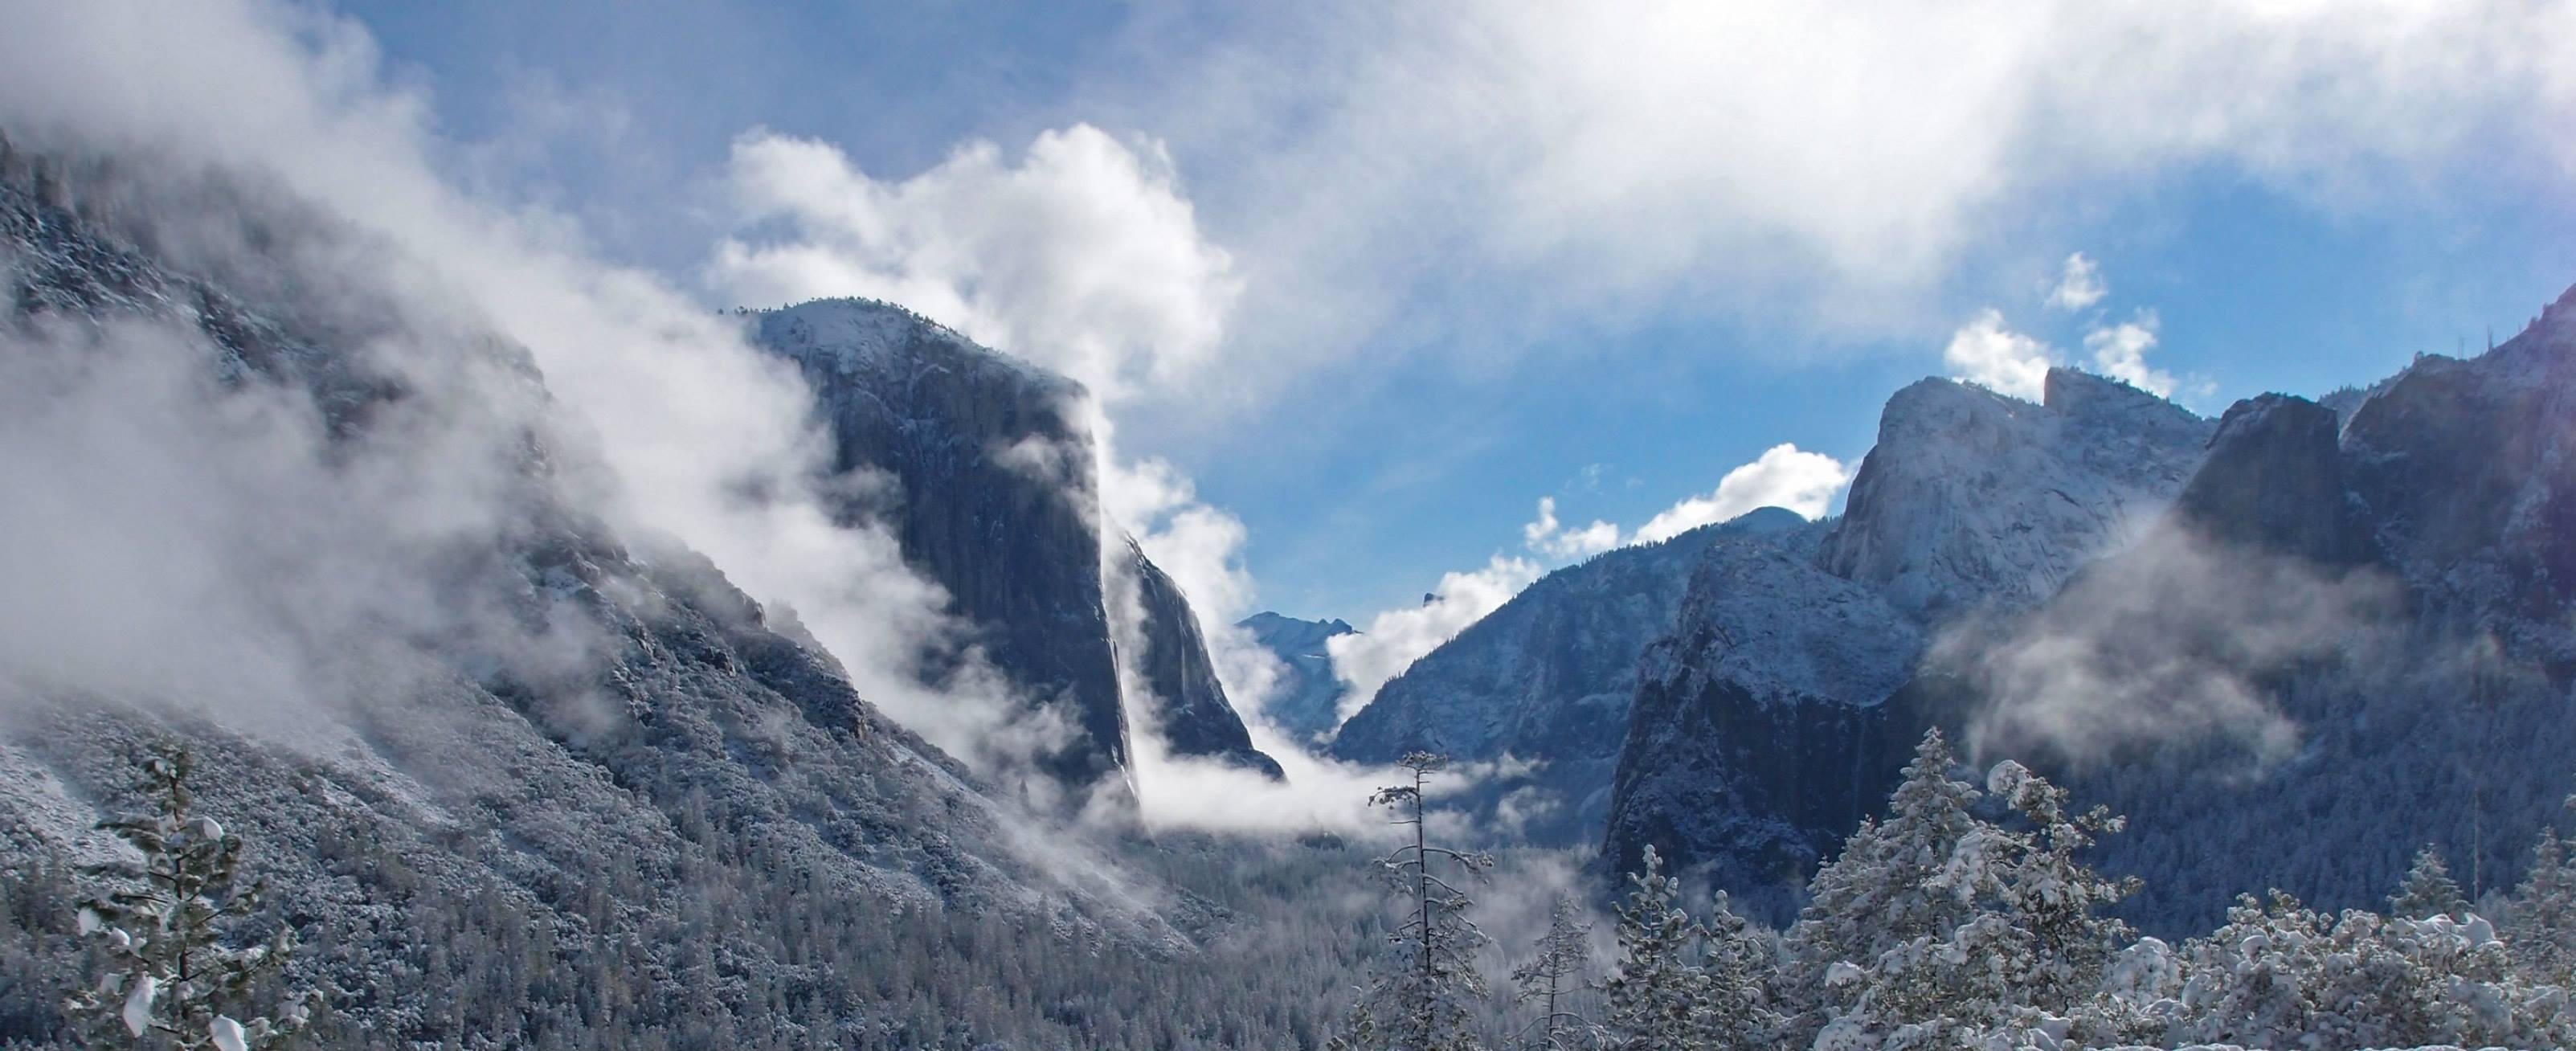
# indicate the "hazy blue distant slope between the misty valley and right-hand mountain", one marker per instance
pixel 1547 679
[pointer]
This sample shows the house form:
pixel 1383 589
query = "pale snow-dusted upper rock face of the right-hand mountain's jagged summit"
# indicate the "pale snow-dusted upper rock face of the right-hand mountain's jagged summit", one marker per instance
pixel 1975 498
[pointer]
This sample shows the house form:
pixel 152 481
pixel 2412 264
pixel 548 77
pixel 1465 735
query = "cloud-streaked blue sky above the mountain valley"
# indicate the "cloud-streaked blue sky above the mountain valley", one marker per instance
pixel 1434 267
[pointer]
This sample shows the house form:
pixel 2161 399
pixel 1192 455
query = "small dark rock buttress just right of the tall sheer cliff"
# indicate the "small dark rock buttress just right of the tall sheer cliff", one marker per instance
pixel 1181 681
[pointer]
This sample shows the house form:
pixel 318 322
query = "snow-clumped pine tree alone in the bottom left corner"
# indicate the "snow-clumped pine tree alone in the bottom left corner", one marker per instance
pixel 171 980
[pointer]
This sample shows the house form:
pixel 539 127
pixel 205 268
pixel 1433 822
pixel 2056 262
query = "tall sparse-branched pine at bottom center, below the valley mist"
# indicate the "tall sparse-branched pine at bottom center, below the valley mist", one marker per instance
pixel 1431 990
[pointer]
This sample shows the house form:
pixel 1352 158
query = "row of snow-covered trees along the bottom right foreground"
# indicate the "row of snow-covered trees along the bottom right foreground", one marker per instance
pixel 1972 918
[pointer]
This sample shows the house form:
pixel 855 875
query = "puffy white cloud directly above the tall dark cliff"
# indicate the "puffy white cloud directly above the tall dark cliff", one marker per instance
pixel 1086 256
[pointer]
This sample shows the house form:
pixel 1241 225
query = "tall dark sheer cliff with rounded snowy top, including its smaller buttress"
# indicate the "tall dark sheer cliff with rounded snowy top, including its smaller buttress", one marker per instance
pixel 993 496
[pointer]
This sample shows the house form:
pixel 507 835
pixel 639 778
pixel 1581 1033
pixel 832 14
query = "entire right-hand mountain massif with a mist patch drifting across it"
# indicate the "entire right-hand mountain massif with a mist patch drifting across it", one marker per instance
pixel 2291 645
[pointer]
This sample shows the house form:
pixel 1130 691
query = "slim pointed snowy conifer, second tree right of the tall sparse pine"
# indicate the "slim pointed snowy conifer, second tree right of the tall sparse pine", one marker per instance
pixel 1660 998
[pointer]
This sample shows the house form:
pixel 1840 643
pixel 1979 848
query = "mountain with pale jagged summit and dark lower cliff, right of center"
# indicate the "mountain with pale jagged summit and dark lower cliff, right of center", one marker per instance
pixel 1763 725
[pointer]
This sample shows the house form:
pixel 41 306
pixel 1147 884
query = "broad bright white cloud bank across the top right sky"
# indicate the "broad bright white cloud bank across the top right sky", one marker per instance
pixel 1526 166
